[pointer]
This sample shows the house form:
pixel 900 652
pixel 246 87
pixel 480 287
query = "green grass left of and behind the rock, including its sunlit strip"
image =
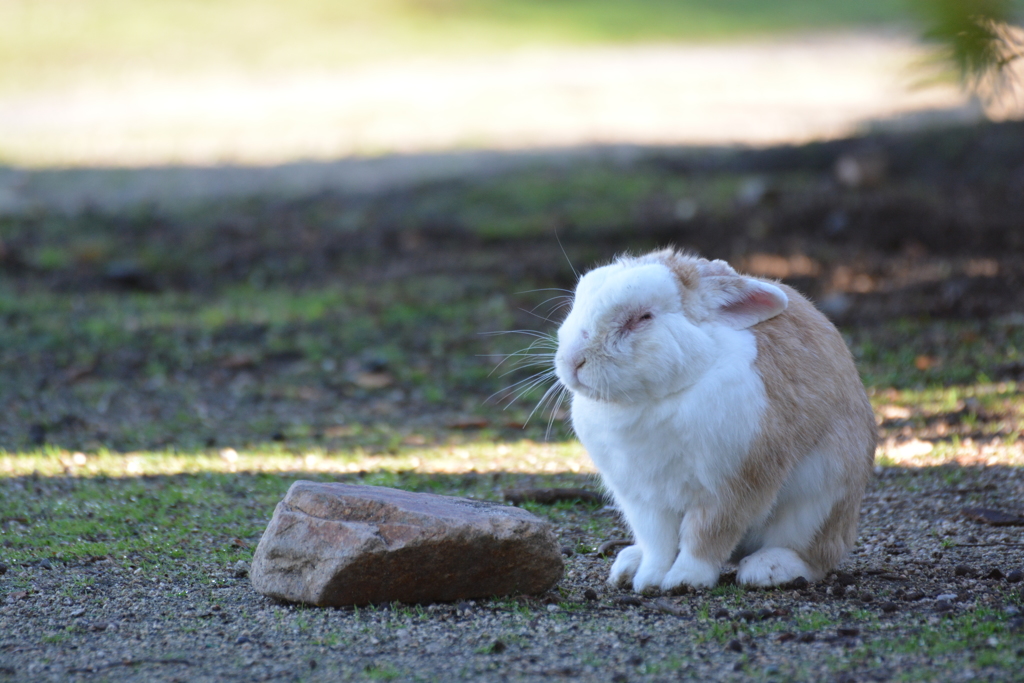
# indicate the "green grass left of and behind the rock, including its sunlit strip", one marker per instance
pixel 156 510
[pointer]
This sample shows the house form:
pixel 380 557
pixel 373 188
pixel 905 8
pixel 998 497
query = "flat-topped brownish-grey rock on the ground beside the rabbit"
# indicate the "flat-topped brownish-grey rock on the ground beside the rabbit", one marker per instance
pixel 335 544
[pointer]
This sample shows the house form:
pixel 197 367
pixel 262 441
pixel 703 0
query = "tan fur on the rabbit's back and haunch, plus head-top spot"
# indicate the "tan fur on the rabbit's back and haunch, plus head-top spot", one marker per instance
pixel 816 400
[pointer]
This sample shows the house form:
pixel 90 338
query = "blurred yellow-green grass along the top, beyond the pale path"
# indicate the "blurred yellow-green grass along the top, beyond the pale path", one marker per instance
pixel 57 41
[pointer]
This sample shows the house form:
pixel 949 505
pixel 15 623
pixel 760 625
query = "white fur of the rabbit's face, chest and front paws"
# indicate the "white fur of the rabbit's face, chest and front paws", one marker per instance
pixel 667 413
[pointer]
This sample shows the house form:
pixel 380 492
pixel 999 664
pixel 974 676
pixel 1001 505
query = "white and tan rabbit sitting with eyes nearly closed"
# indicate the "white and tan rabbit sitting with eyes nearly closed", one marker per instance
pixel 727 417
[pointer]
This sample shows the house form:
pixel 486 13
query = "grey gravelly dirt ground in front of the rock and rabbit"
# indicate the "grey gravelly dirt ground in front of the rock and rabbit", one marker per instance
pixel 928 595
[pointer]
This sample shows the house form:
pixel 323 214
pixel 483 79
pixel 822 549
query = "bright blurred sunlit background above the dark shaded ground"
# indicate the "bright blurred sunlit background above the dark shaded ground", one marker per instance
pixel 131 84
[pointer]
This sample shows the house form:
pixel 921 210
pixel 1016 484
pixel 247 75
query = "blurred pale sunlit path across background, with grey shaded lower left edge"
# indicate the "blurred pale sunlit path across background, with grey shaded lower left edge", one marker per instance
pixel 752 94
